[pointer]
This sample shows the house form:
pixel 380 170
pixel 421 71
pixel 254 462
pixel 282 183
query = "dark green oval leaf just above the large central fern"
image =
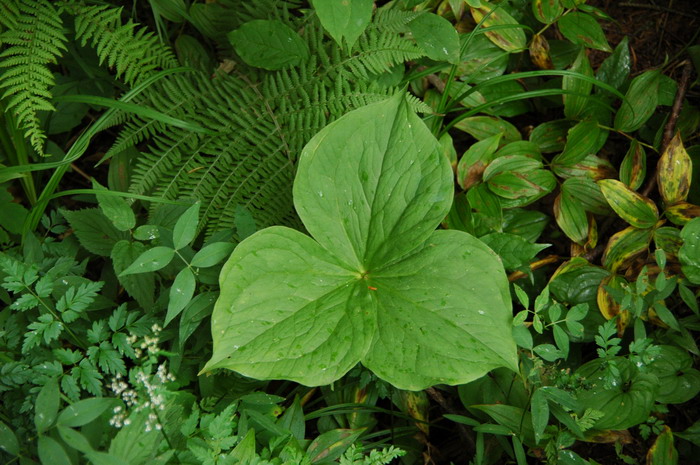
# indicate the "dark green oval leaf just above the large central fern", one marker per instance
pixel 268 44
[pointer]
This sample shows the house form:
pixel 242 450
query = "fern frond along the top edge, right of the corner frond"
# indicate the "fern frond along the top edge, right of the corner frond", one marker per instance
pixel 132 51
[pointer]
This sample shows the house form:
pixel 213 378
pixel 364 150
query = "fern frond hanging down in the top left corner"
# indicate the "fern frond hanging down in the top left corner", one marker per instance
pixel 33 40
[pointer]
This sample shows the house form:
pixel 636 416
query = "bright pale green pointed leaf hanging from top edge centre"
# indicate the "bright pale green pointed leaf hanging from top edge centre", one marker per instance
pixel 344 19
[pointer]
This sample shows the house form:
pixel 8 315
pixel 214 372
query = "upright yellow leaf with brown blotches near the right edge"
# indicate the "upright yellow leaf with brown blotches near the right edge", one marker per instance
pixel 674 172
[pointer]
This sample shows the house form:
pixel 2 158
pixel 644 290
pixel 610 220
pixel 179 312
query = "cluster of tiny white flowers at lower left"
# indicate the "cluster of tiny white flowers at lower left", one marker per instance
pixel 147 391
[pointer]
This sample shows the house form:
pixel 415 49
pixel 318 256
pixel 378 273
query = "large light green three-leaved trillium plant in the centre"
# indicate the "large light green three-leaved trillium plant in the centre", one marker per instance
pixel 375 283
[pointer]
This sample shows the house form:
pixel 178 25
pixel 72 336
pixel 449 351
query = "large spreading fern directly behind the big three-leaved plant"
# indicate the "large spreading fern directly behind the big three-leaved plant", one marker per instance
pixel 262 120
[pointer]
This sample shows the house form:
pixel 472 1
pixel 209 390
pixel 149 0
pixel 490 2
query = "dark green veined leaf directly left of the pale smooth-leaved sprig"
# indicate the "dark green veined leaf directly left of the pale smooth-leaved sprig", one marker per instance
pixel 94 230
